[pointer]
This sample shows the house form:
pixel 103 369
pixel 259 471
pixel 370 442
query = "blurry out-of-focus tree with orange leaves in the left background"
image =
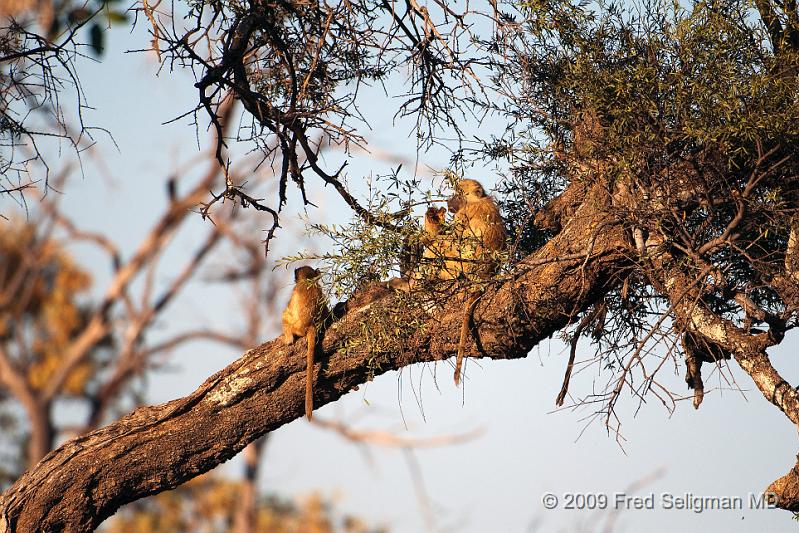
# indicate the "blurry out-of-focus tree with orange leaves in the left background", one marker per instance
pixel 47 316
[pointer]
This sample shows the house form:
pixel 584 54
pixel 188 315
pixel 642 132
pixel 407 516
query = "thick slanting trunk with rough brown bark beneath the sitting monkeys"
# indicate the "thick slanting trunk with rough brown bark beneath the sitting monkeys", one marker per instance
pixel 78 485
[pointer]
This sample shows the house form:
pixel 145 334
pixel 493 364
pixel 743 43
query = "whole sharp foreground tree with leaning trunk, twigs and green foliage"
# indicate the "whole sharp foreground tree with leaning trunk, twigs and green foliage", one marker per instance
pixel 654 147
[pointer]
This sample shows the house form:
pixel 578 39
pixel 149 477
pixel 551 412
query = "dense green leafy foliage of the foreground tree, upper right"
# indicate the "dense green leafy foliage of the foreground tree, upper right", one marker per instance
pixel 687 105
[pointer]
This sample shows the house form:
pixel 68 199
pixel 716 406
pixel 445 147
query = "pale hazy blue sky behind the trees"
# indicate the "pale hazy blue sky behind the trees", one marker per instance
pixel 733 446
